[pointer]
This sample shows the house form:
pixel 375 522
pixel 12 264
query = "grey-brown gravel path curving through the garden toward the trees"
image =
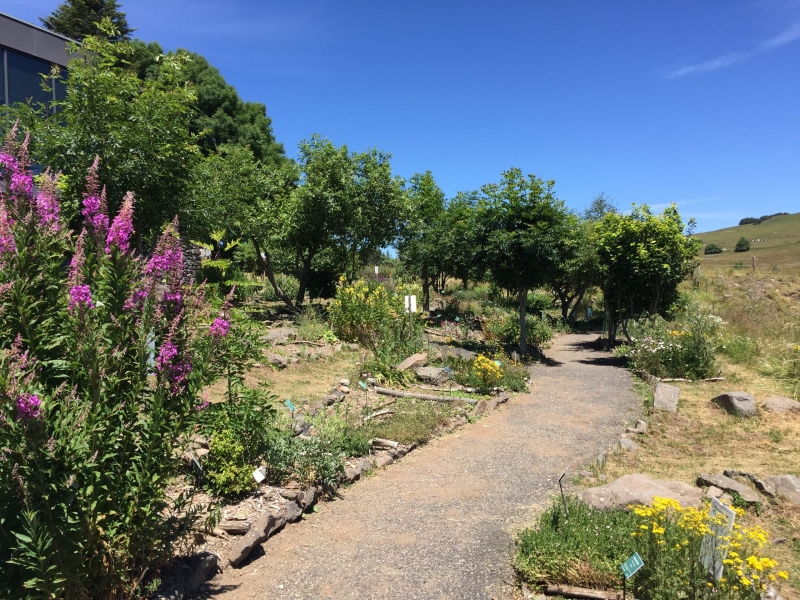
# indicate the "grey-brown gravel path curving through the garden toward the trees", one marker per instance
pixel 439 524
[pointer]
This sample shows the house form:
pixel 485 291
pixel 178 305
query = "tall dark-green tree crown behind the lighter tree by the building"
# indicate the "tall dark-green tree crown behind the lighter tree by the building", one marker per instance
pixel 221 116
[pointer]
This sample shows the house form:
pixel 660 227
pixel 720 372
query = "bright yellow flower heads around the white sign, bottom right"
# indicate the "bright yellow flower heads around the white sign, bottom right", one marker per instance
pixel 681 530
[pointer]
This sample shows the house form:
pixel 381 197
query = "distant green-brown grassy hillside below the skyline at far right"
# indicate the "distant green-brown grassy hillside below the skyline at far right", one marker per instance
pixel 781 245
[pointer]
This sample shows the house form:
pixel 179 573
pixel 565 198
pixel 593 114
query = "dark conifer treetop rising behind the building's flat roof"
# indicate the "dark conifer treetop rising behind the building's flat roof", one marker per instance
pixel 78 19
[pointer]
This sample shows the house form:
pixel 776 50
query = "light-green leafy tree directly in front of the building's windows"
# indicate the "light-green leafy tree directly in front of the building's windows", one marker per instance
pixel 138 129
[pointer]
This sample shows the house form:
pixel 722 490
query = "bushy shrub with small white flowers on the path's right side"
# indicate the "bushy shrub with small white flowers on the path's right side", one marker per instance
pixel 684 348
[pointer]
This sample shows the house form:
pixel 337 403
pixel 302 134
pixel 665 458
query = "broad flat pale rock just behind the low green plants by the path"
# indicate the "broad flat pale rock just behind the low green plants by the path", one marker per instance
pixel 640 489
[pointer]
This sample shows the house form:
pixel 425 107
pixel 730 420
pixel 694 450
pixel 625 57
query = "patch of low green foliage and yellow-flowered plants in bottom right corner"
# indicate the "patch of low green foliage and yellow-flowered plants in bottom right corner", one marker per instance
pixel 587 549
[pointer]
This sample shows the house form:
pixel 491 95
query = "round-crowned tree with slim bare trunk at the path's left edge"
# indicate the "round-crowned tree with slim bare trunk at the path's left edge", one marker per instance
pixel 521 223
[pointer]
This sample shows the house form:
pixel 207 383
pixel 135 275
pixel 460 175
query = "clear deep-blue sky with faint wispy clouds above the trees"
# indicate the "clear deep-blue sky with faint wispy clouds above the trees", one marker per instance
pixel 690 102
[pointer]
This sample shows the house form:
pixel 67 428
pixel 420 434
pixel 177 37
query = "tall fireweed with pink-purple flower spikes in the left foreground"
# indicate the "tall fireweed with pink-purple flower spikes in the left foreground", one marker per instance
pixel 102 358
